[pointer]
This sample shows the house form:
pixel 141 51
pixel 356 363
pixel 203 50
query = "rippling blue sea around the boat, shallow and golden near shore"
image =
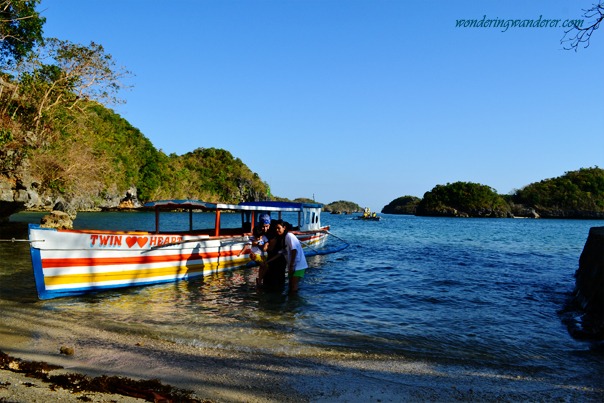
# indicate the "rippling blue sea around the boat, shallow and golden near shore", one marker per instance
pixel 475 292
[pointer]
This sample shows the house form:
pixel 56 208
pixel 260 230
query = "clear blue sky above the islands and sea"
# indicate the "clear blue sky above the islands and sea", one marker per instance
pixel 356 100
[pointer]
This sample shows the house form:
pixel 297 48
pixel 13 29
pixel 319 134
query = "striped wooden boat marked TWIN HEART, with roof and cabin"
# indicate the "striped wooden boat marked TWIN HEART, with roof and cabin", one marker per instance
pixel 75 262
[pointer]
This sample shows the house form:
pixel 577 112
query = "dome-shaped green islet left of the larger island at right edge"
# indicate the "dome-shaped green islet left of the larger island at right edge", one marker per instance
pixel 463 199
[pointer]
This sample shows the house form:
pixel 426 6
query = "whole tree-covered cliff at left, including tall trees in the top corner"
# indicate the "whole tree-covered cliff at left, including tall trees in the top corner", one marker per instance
pixel 57 135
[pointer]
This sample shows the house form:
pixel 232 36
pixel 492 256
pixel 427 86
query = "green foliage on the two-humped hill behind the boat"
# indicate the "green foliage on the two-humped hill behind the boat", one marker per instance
pixel 98 155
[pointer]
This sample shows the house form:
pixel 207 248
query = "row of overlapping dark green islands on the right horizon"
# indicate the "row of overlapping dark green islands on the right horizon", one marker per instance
pixel 576 194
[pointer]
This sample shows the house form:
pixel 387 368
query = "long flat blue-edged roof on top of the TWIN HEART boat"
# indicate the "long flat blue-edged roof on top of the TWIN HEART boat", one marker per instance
pixel 244 206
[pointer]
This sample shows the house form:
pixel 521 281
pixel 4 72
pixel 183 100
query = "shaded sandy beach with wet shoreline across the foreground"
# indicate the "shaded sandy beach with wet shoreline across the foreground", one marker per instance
pixel 220 374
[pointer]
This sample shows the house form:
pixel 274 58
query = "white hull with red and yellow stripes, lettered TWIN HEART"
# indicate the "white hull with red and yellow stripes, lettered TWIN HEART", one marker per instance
pixel 70 262
